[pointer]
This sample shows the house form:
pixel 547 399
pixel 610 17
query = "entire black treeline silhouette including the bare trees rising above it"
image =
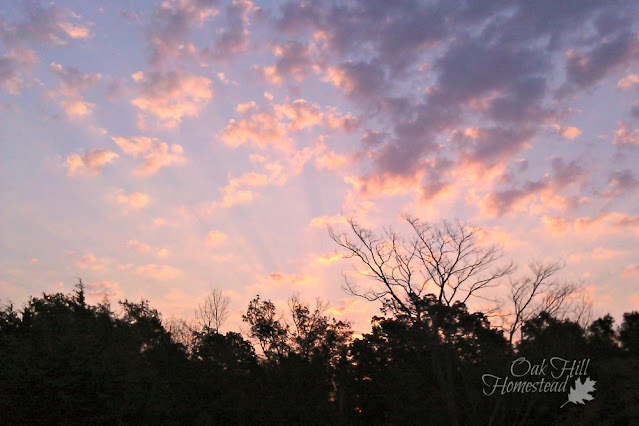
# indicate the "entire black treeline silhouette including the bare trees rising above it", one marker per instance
pixel 428 361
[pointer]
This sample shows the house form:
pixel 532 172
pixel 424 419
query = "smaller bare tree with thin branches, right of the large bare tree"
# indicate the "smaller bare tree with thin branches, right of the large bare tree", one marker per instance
pixel 540 292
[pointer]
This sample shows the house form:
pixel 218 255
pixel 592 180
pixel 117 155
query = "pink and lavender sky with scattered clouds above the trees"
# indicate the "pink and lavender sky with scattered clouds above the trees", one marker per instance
pixel 160 149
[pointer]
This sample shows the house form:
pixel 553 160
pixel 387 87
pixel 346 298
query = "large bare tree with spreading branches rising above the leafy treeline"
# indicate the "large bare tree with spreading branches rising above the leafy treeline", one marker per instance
pixel 443 259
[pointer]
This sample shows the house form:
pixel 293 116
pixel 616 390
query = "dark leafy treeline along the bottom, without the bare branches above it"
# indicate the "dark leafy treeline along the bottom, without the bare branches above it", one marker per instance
pixel 64 361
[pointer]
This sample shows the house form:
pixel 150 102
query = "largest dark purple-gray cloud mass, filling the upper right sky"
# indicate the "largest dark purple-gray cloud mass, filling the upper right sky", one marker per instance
pixel 496 63
